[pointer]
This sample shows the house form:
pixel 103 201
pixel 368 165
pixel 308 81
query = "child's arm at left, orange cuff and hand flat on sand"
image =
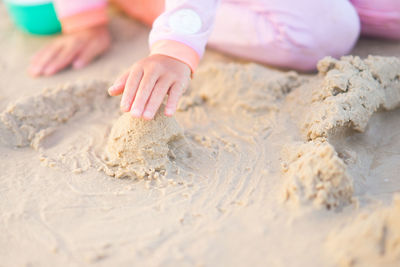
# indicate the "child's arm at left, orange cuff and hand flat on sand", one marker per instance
pixel 85 36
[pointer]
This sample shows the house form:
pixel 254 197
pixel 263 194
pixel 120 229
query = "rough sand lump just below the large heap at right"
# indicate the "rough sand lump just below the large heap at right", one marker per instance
pixel 315 174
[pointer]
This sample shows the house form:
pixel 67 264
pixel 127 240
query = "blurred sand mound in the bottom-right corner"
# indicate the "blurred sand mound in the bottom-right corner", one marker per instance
pixel 370 240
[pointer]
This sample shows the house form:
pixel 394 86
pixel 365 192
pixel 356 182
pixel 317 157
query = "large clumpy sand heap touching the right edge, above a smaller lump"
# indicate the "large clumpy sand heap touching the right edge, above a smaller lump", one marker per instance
pixel 351 91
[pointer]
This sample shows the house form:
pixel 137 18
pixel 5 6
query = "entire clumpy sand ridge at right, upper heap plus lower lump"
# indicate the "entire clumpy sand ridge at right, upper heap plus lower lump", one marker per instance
pixel 345 96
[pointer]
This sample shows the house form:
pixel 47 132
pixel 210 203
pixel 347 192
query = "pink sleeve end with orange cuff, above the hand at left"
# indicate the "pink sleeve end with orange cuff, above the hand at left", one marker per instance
pixel 77 14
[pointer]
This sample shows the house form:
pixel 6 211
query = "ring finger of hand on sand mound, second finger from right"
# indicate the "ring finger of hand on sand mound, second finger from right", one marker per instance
pixel 157 96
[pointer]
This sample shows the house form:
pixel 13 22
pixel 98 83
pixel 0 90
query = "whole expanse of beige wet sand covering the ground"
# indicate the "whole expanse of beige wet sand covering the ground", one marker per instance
pixel 259 167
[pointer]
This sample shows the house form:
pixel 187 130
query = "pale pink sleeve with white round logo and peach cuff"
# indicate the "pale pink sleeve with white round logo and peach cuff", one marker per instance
pixel 182 30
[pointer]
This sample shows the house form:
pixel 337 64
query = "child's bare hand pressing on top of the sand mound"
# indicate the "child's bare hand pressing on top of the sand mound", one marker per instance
pixel 145 85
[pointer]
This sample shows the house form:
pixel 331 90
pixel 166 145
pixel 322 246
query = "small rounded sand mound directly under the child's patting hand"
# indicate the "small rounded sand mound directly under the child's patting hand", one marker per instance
pixel 140 148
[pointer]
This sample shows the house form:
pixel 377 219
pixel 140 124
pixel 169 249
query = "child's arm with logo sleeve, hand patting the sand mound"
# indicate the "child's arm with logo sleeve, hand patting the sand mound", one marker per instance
pixel 177 42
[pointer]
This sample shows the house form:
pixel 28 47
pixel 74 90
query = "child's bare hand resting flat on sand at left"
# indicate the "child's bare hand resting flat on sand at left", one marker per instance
pixel 77 49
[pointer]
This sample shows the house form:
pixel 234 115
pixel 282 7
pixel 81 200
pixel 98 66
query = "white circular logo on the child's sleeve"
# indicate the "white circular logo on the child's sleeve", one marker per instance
pixel 185 21
